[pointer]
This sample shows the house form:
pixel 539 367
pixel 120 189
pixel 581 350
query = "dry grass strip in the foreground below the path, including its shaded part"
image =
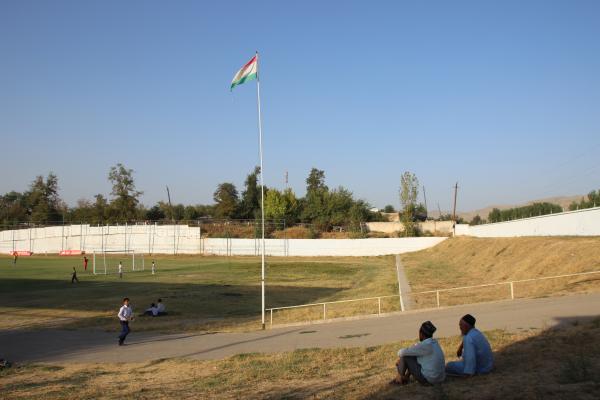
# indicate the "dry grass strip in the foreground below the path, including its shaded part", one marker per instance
pixel 554 364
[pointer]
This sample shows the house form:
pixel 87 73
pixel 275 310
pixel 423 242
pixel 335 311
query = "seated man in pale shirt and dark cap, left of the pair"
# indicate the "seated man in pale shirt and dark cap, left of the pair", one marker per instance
pixel 424 360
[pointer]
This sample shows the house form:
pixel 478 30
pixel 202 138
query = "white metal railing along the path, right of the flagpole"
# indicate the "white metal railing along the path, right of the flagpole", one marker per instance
pixel 437 292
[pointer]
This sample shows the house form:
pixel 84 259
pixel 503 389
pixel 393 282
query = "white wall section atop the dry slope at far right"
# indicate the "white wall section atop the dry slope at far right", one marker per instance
pixel 571 223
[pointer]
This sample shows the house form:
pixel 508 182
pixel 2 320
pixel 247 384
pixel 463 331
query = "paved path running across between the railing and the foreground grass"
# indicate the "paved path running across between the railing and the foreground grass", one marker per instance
pixel 94 346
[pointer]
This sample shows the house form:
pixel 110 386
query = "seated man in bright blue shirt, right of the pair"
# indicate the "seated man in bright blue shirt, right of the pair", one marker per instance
pixel 475 350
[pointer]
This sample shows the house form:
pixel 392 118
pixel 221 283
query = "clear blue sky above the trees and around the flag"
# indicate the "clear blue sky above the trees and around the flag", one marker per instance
pixel 503 97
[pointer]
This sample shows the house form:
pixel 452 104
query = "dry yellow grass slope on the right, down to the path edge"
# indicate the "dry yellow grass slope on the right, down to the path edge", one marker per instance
pixel 472 261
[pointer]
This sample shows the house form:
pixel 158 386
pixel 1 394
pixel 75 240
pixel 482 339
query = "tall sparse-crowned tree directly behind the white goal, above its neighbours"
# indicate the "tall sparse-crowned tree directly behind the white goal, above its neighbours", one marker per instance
pixel 126 197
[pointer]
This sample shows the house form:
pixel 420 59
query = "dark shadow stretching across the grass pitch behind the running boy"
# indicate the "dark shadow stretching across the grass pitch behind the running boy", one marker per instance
pixel 95 303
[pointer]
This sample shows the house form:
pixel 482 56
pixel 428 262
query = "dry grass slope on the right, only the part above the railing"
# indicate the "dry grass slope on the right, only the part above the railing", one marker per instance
pixel 472 261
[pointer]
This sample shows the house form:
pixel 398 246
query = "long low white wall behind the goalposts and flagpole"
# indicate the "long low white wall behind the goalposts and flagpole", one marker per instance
pixel 182 239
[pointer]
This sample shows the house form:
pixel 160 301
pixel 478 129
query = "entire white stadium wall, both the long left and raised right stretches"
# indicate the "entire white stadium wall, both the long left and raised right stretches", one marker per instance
pixel 183 239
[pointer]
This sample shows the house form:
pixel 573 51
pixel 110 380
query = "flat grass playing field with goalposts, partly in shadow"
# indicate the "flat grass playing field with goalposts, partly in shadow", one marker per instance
pixel 200 292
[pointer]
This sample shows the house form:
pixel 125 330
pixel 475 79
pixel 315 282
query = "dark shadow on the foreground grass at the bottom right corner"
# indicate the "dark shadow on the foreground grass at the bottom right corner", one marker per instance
pixel 558 363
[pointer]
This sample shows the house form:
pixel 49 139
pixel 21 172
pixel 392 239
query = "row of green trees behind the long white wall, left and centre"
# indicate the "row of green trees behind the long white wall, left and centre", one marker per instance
pixel 322 207
